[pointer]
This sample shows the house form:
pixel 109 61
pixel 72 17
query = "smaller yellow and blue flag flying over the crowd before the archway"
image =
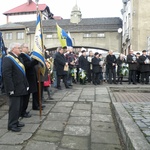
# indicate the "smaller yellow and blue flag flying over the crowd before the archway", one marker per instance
pixel 64 38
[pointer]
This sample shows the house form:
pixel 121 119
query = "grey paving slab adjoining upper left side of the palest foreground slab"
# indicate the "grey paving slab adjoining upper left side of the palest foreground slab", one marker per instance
pixel 53 125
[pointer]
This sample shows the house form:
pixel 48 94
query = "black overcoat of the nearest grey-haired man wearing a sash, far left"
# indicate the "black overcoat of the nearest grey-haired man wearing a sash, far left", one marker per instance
pixel 14 79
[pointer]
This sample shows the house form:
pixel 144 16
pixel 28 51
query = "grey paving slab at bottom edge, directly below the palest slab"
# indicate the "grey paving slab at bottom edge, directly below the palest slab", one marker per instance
pixel 74 142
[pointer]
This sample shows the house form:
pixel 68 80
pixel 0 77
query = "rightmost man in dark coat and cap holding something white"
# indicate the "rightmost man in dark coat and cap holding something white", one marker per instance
pixel 144 61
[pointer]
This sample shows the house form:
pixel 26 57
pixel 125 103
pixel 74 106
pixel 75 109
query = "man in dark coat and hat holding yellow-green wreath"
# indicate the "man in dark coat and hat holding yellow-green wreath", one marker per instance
pixel 83 66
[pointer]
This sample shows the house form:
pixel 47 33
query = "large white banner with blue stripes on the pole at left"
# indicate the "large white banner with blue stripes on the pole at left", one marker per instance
pixel 38 52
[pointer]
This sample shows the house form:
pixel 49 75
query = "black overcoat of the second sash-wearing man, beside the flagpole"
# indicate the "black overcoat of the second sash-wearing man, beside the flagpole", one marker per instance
pixel 30 72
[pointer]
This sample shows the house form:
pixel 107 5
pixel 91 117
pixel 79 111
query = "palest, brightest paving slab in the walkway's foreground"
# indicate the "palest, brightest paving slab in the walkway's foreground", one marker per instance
pixel 77 130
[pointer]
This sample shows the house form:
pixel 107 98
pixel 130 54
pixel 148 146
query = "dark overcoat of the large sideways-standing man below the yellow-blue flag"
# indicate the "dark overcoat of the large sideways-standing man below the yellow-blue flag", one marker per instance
pixel 60 62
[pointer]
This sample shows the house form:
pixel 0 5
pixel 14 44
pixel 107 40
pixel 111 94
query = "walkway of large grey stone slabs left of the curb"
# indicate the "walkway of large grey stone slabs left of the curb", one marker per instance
pixel 79 118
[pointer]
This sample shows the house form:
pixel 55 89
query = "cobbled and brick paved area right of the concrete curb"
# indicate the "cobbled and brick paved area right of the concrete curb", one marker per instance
pixel 136 100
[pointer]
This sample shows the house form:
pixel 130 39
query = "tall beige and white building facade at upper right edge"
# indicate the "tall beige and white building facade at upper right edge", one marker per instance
pixel 136 22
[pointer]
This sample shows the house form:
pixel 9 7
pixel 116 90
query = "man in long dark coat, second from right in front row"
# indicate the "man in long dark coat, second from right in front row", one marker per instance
pixel 132 61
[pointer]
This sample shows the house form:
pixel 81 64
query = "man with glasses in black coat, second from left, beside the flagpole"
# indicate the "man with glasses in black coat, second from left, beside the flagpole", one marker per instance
pixel 29 64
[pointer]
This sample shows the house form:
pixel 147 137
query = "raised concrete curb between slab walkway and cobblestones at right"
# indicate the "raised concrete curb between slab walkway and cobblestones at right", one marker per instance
pixel 132 137
